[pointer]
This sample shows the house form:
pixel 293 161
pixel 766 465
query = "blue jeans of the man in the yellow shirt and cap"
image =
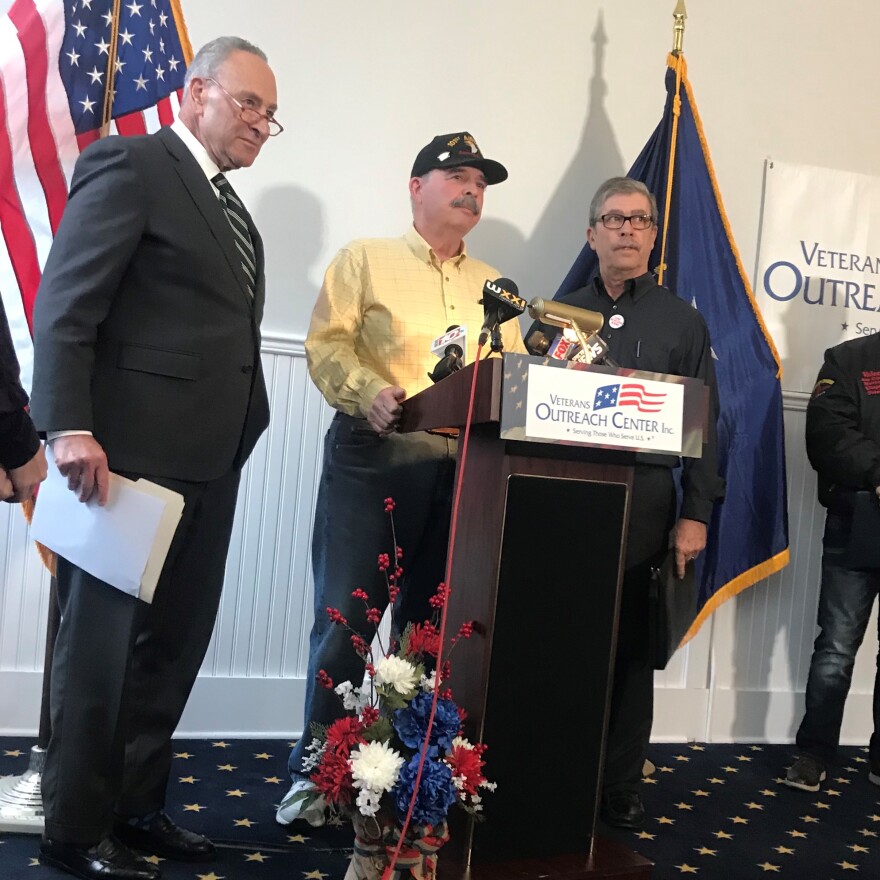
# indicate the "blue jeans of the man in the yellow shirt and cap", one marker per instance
pixel 351 530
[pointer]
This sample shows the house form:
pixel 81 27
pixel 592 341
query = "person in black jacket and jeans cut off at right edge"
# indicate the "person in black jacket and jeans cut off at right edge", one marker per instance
pixel 843 445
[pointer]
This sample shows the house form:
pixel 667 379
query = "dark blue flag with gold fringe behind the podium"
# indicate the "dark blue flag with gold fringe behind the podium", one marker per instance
pixel 748 534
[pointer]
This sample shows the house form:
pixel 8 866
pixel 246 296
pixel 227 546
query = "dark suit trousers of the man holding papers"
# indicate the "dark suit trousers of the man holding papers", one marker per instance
pixel 123 670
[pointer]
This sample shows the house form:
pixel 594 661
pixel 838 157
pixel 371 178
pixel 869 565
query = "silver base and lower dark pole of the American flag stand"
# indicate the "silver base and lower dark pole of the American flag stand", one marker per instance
pixel 21 797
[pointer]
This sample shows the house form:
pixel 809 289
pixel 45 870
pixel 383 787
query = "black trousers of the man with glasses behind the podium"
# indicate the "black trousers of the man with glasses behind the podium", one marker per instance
pixel 632 698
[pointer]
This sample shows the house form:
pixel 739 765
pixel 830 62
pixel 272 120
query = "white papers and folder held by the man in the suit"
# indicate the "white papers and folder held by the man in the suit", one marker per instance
pixel 123 543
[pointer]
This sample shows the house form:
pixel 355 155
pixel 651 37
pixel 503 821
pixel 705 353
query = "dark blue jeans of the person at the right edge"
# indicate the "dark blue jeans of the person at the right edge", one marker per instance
pixel 845 601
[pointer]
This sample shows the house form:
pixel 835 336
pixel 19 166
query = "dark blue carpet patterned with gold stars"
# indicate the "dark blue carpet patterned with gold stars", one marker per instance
pixel 716 812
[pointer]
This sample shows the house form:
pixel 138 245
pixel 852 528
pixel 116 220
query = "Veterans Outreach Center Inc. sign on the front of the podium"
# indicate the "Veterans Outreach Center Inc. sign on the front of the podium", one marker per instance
pixel 547 400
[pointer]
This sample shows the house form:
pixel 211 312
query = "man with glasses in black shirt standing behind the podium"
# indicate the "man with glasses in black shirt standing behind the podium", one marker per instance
pixel 648 328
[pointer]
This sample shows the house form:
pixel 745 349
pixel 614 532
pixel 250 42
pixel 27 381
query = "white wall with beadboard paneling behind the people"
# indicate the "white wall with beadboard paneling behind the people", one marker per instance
pixel 565 93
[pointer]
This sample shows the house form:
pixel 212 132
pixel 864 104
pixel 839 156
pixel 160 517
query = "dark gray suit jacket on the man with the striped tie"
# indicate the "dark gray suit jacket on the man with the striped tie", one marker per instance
pixel 144 331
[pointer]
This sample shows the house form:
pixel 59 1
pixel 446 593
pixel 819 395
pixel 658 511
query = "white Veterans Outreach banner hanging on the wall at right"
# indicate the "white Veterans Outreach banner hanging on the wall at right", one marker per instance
pixel 818 278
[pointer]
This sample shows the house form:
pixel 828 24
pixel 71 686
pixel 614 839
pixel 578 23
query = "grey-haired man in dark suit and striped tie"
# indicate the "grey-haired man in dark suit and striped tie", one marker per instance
pixel 147 363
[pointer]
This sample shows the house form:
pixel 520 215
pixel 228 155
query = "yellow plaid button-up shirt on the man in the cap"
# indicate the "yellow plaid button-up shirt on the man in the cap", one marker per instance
pixel 382 304
